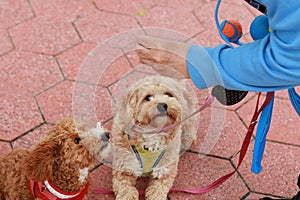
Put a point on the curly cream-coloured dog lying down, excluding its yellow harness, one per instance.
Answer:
(152, 103)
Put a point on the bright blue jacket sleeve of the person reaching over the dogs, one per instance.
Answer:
(271, 63)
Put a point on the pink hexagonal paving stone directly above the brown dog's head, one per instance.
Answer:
(78, 100)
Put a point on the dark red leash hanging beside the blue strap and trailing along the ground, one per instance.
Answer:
(221, 180)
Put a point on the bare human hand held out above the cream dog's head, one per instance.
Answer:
(161, 54)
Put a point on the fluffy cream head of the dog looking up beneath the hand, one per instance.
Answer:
(152, 104)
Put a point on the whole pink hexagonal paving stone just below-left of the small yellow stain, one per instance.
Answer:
(102, 25)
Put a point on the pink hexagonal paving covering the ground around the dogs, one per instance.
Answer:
(43, 45)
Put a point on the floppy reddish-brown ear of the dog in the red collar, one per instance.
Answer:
(39, 162)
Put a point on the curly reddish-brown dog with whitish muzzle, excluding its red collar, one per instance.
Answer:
(68, 148)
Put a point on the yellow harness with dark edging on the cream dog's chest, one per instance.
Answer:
(148, 159)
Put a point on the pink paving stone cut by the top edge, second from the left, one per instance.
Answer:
(67, 10)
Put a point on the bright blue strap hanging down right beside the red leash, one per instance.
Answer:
(261, 134)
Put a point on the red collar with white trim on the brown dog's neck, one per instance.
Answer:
(47, 191)
